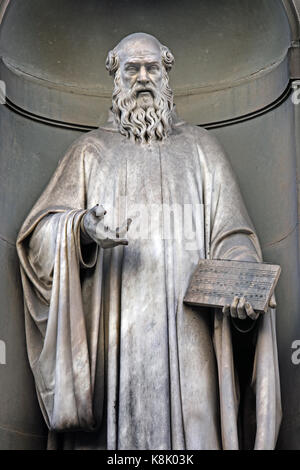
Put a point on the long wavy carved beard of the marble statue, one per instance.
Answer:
(140, 124)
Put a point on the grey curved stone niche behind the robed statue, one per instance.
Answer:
(232, 75)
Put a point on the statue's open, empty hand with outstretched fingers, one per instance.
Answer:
(94, 227)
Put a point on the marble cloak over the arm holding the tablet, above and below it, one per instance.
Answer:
(230, 235)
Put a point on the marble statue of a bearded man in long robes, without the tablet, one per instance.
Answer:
(119, 361)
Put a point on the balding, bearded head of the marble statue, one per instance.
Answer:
(142, 100)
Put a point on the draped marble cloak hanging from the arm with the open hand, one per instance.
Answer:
(58, 337)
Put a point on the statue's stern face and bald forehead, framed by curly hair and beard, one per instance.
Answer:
(141, 70)
